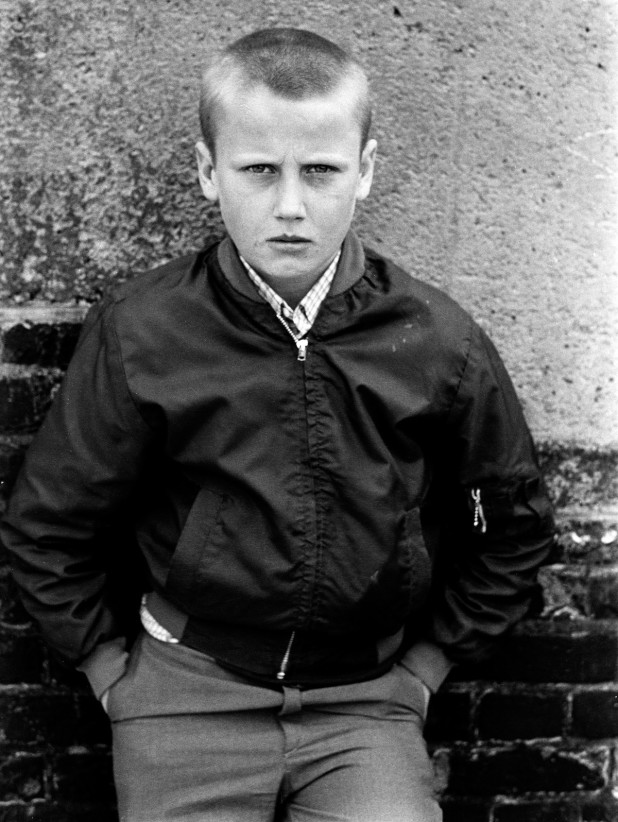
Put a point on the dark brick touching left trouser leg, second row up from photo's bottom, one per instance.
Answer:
(84, 776)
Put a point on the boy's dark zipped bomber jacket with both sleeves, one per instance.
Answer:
(313, 510)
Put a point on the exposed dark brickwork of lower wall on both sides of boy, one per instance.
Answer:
(529, 737)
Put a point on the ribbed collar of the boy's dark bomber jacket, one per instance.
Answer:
(349, 271)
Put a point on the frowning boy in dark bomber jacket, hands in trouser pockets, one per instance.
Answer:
(327, 471)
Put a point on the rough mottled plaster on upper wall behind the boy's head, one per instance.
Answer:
(497, 176)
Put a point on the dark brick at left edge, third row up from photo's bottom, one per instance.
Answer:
(38, 717)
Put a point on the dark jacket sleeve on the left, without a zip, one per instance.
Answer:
(76, 481)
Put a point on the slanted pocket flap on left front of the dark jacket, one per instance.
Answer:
(199, 543)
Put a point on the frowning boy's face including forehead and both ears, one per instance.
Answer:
(287, 176)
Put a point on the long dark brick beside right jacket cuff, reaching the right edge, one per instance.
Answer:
(575, 651)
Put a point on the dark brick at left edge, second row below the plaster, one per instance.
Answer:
(25, 396)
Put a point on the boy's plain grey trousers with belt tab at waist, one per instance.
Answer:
(192, 741)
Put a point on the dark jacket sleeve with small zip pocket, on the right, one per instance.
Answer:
(492, 510)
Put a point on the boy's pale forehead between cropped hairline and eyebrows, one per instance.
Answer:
(256, 117)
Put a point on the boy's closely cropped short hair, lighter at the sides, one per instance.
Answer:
(294, 63)
